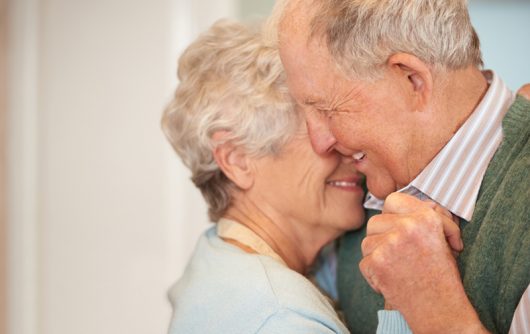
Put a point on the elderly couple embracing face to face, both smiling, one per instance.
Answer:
(282, 127)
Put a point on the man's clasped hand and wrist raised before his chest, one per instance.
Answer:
(407, 258)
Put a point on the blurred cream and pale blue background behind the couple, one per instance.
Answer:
(97, 215)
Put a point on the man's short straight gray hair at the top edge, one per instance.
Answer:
(362, 34)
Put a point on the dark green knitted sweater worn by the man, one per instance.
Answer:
(495, 263)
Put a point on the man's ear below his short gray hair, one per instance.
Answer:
(416, 74)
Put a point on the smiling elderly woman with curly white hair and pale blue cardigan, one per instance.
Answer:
(275, 203)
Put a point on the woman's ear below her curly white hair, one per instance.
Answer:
(233, 161)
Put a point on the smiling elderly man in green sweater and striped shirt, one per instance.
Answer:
(397, 87)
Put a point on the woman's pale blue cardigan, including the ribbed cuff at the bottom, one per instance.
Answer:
(225, 290)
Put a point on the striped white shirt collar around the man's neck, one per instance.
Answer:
(454, 176)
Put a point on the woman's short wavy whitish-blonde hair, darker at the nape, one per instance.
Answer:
(230, 80)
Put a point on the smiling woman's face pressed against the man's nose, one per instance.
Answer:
(303, 187)
